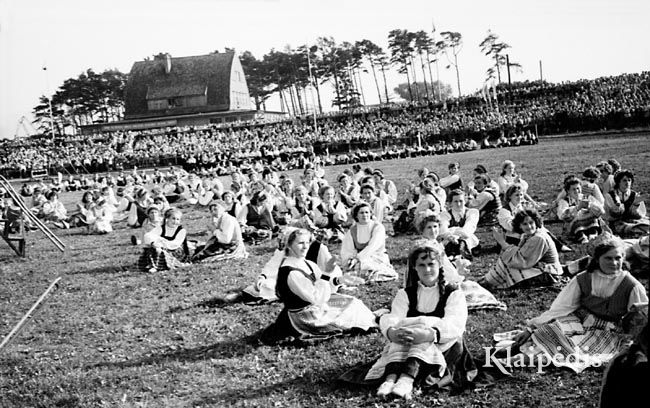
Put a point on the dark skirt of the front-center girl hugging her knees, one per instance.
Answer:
(459, 372)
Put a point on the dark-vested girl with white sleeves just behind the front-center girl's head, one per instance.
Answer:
(458, 226)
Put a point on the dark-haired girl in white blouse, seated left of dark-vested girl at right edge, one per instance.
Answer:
(581, 215)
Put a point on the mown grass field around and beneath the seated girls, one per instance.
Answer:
(112, 337)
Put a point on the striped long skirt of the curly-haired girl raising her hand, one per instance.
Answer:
(503, 277)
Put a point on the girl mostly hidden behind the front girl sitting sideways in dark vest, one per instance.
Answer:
(264, 287)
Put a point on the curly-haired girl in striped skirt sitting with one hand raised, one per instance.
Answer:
(534, 257)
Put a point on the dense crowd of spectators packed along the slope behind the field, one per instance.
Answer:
(523, 111)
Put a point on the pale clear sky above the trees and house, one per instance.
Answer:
(573, 39)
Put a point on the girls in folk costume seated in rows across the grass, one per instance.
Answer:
(334, 236)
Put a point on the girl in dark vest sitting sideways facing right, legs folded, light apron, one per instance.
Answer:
(311, 310)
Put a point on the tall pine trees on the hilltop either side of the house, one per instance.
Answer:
(291, 72)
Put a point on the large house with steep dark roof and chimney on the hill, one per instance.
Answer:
(185, 91)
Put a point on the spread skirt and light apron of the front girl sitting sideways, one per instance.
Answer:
(341, 314)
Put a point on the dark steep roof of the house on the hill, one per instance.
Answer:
(188, 76)
